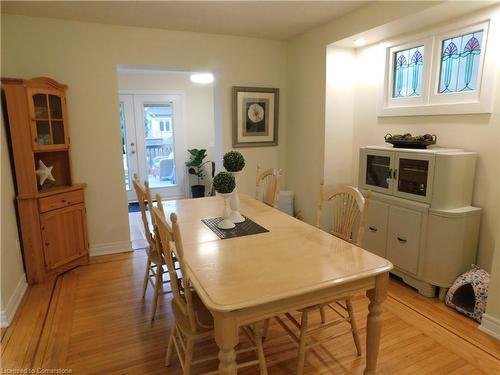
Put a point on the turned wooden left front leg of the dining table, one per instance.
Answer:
(226, 337)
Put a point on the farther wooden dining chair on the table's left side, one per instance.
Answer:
(154, 273)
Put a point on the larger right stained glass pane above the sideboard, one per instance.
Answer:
(460, 57)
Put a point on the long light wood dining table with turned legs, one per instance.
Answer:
(247, 279)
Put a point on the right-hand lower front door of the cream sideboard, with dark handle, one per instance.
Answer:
(403, 238)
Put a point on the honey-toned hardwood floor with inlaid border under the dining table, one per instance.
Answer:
(93, 321)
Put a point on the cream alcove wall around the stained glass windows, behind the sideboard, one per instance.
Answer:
(472, 132)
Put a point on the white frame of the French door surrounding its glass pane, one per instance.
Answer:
(177, 98)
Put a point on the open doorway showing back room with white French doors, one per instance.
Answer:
(163, 113)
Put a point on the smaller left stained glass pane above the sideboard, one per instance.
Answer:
(407, 75)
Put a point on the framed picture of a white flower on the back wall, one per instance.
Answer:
(255, 116)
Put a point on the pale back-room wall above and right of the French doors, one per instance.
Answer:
(199, 122)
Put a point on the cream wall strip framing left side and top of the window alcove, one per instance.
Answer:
(306, 65)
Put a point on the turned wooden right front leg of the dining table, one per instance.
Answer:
(374, 321)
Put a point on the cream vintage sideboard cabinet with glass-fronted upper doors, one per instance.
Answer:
(420, 215)
